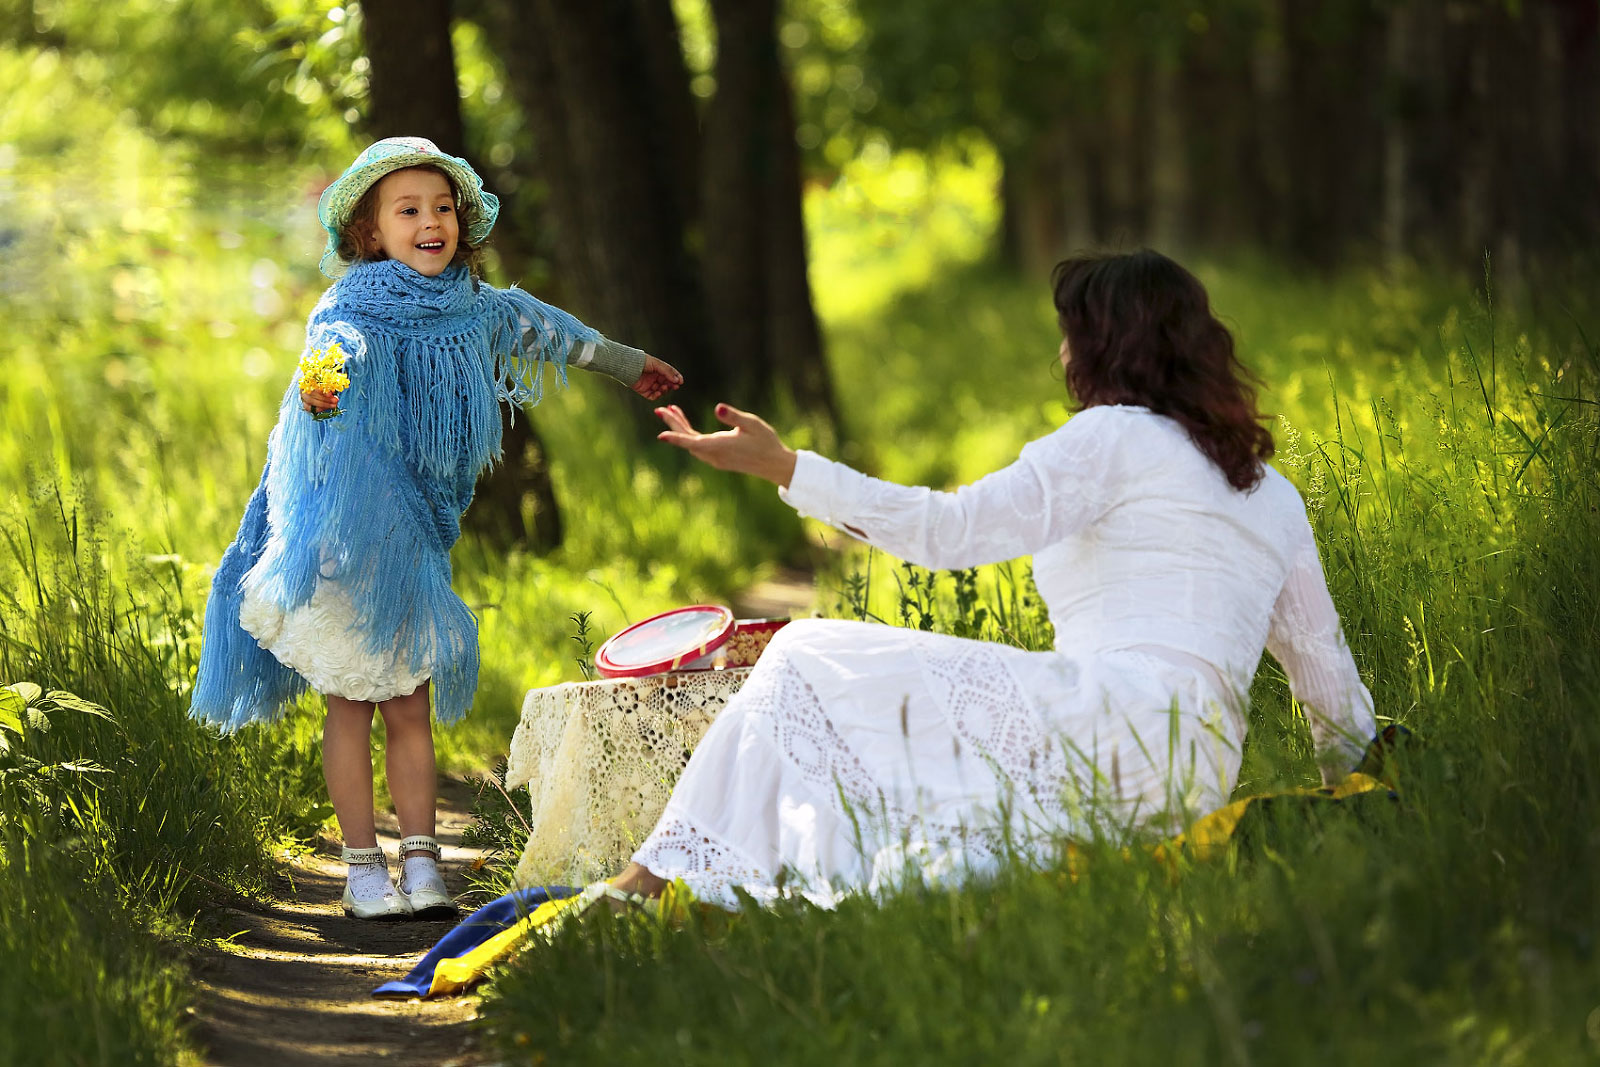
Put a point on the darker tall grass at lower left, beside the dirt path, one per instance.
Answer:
(119, 817)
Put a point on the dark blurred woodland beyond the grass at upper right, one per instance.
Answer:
(1318, 132)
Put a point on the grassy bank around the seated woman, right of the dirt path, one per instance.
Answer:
(1449, 462)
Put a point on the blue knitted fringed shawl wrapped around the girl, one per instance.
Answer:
(374, 498)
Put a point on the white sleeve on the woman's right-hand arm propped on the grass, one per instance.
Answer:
(1306, 639)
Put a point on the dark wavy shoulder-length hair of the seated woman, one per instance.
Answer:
(1140, 332)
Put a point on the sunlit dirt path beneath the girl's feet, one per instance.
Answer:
(294, 988)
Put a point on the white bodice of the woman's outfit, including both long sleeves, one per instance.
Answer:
(1138, 543)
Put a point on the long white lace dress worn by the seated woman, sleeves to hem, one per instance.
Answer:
(858, 754)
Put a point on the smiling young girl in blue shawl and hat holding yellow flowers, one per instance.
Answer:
(340, 575)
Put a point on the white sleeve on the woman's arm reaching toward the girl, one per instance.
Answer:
(1057, 487)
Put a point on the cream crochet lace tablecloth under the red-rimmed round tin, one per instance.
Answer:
(601, 761)
